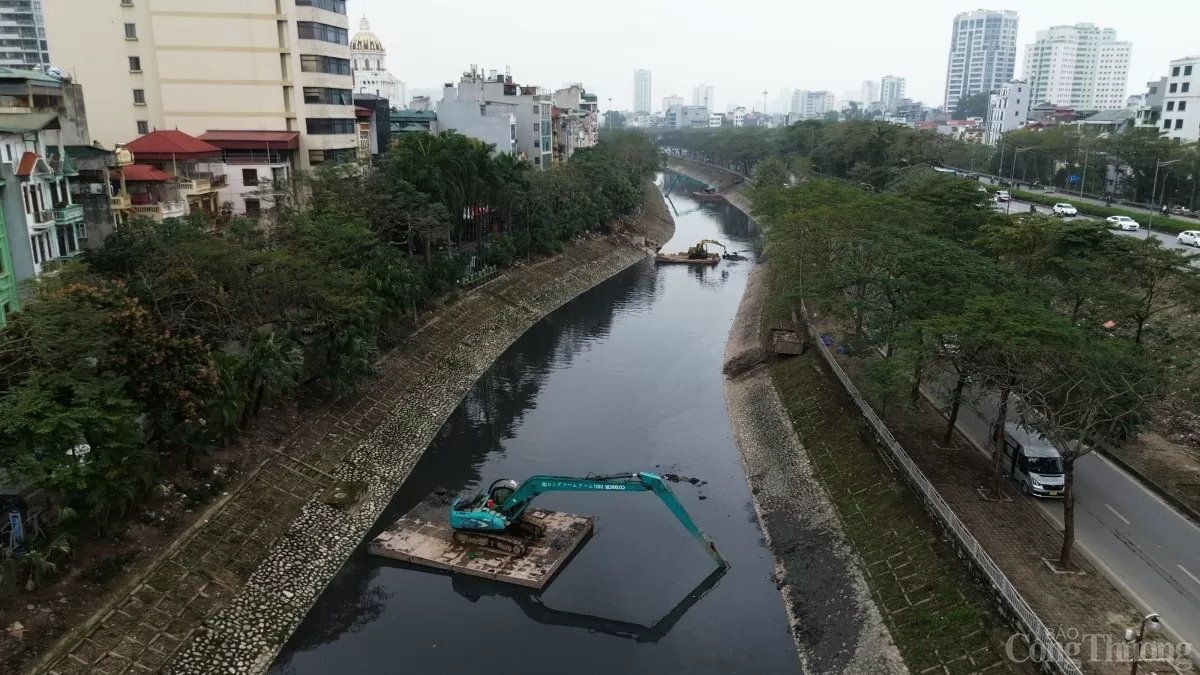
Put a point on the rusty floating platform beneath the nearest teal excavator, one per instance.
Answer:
(424, 537)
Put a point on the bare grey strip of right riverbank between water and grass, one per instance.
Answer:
(835, 622)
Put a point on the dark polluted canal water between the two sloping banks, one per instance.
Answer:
(626, 378)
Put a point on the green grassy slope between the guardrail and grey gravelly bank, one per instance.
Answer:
(932, 606)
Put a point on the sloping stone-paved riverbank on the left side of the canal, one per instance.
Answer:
(227, 595)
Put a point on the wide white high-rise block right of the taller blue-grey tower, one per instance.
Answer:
(1079, 67)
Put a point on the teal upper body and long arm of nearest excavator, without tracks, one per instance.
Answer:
(515, 504)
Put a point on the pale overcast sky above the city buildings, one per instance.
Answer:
(741, 50)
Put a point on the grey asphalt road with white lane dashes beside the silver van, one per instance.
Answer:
(1144, 546)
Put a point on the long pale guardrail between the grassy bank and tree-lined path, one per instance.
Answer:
(1039, 632)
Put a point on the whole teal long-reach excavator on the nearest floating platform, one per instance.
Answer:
(495, 519)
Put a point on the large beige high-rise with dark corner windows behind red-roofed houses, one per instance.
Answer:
(274, 65)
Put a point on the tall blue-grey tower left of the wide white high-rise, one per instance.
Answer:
(983, 55)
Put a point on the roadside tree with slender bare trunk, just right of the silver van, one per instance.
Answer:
(1093, 395)
